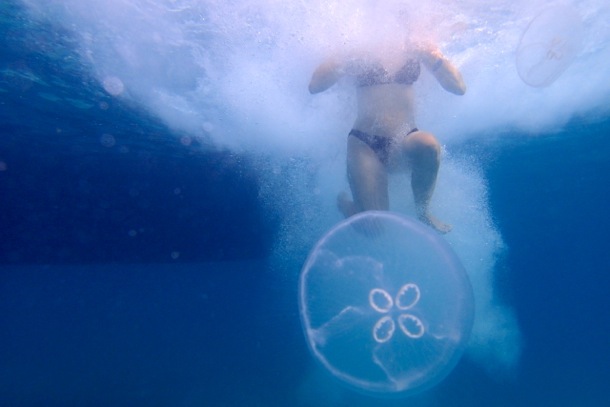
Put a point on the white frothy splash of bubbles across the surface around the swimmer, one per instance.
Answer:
(236, 72)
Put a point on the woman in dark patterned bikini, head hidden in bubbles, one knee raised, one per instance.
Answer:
(384, 137)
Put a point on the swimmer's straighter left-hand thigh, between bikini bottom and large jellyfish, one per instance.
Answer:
(367, 176)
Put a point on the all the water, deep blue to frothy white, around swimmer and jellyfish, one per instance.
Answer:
(164, 173)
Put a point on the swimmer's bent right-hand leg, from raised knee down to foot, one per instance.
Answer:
(422, 153)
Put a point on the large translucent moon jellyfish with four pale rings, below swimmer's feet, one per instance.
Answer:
(385, 304)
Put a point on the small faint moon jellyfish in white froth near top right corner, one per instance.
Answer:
(549, 45)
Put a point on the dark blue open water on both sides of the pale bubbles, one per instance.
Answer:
(134, 269)
